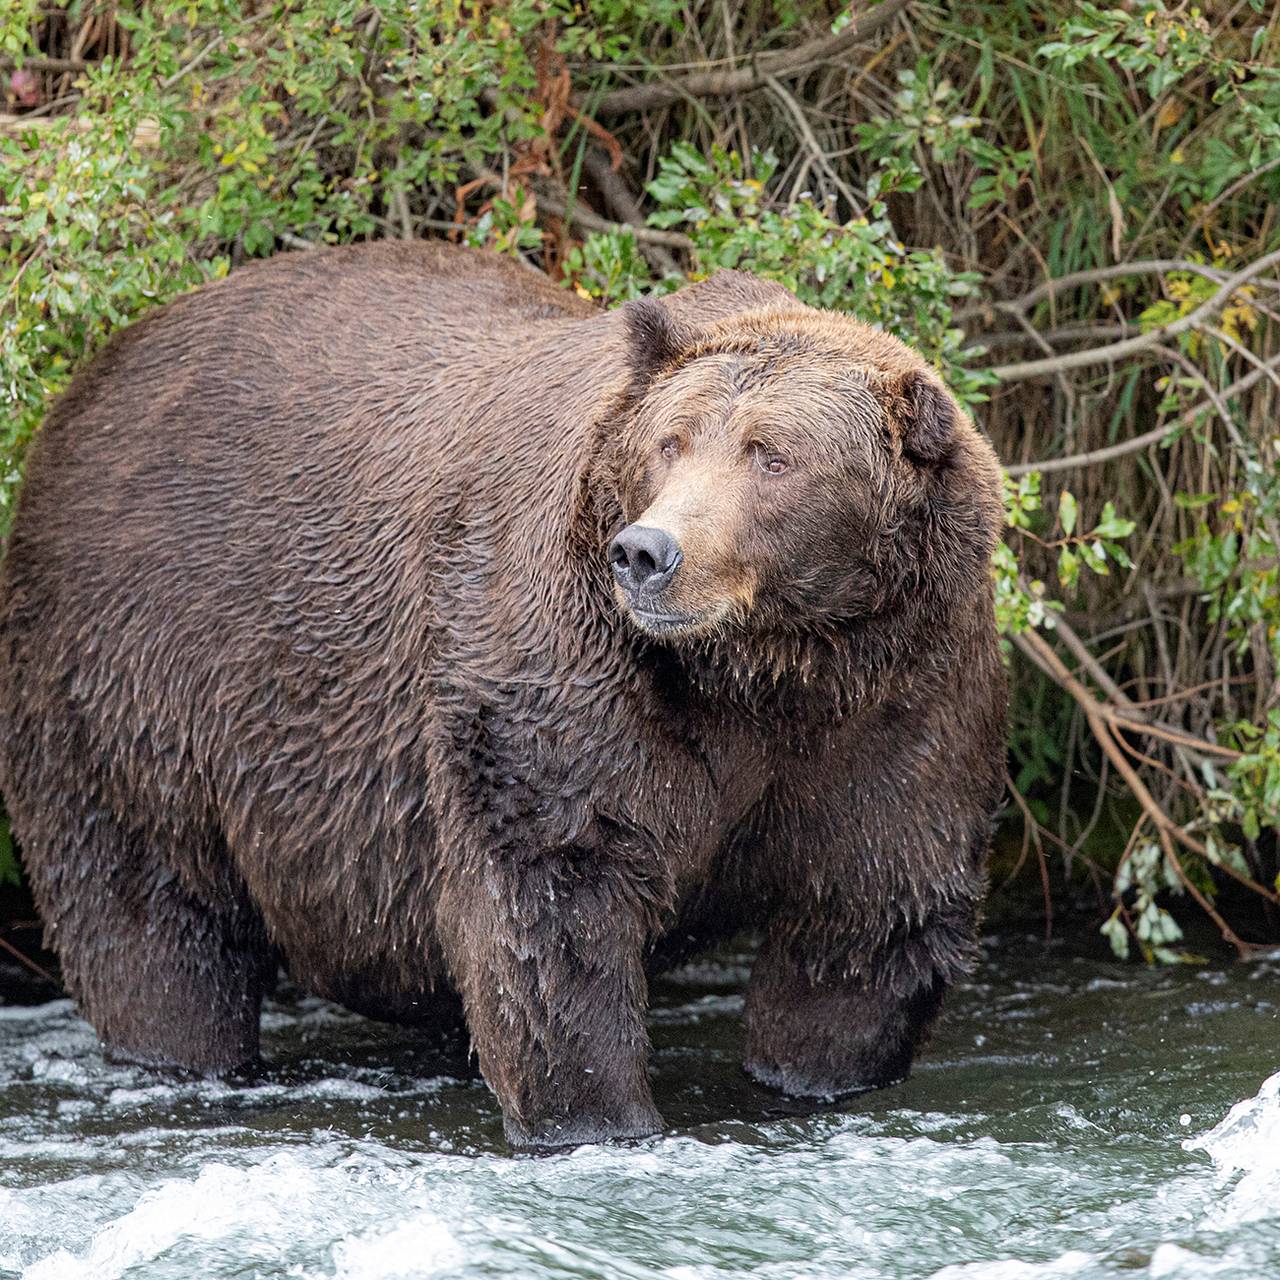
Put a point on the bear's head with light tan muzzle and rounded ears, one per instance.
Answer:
(789, 470)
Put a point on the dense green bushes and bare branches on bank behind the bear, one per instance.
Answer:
(1068, 207)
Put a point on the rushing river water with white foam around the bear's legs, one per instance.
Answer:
(1073, 1118)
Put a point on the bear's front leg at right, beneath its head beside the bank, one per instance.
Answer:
(871, 877)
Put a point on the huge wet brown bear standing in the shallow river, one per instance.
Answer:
(394, 616)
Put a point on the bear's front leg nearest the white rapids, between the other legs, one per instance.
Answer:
(547, 953)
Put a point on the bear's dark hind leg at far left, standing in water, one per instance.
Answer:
(167, 980)
